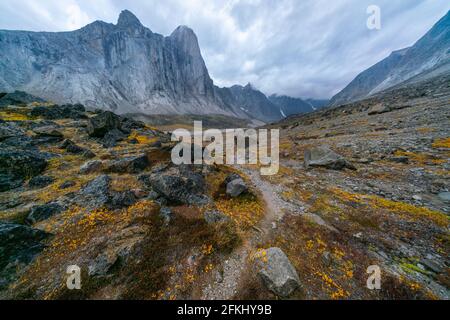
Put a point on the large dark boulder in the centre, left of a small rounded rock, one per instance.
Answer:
(180, 186)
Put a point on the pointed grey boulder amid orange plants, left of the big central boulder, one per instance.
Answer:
(95, 194)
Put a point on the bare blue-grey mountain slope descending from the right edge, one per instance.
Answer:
(428, 57)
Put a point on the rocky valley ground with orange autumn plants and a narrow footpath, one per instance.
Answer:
(360, 185)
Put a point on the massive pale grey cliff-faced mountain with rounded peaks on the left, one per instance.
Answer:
(125, 68)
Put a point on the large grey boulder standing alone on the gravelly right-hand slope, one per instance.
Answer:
(324, 157)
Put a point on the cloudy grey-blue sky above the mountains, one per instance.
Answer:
(300, 48)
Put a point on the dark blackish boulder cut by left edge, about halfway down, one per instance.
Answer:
(16, 164)
